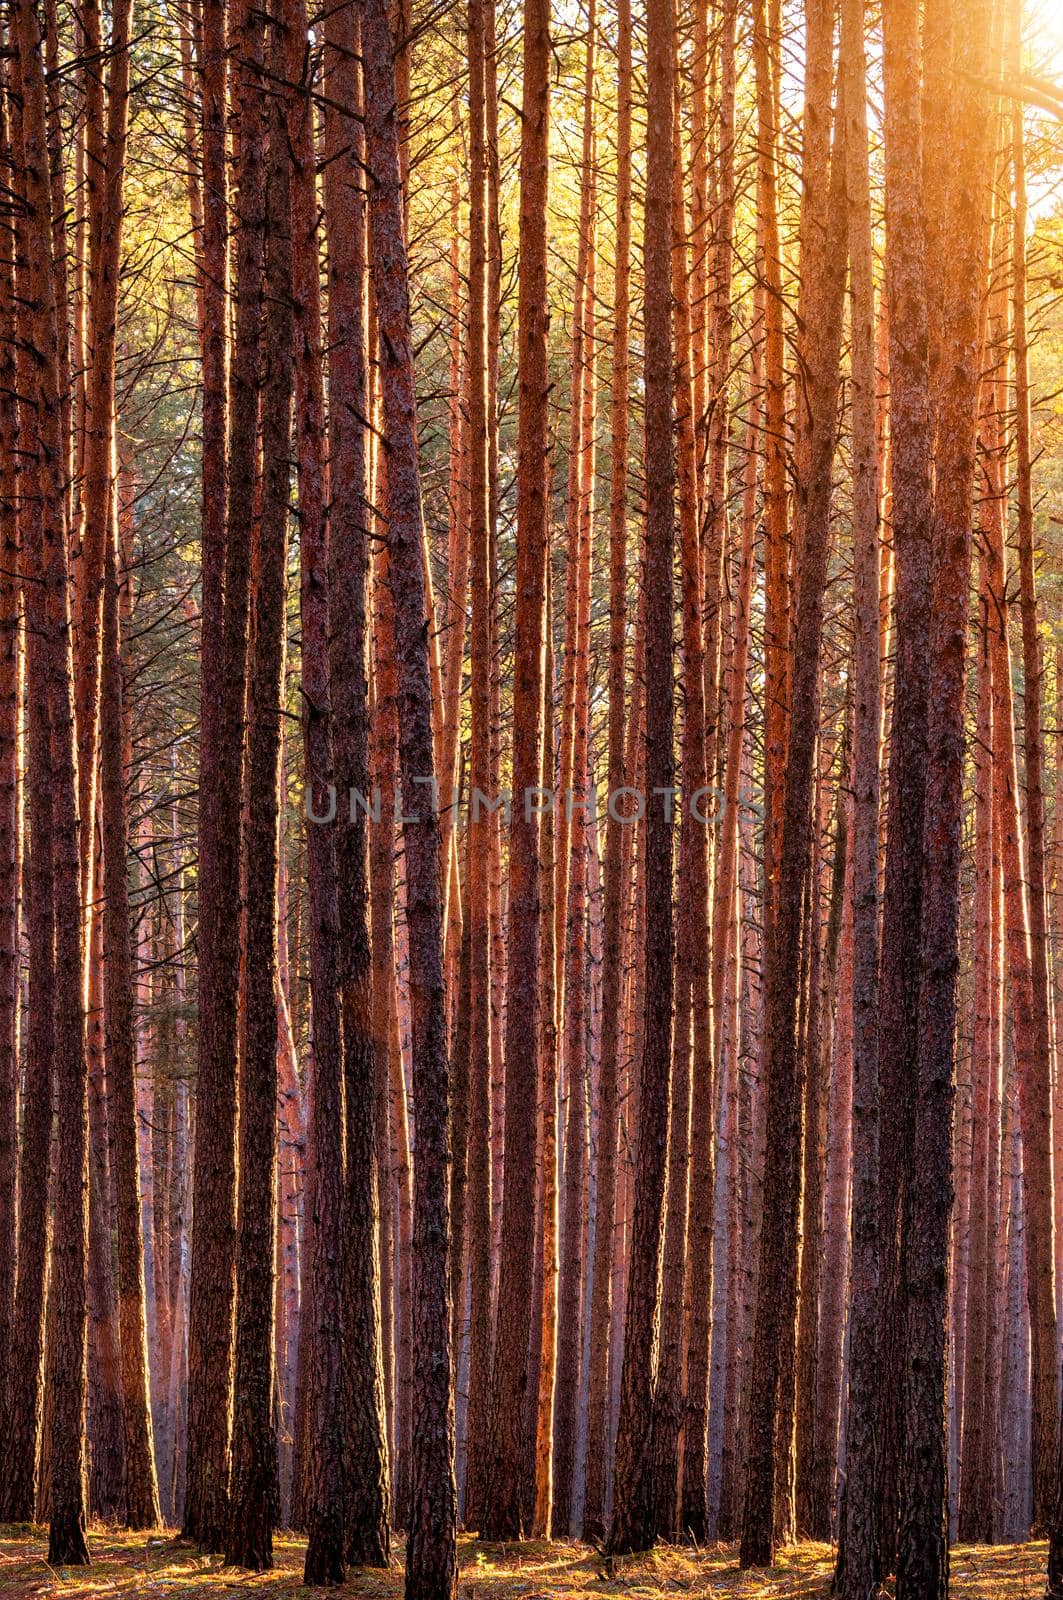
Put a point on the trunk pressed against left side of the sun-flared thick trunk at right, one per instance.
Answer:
(902, 900)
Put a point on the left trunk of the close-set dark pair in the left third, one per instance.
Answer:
(223, 698)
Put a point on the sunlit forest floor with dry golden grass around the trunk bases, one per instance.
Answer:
(162, 1569)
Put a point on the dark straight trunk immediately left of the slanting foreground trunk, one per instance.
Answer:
(369, 1537)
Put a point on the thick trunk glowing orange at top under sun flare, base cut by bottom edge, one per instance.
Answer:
(923, 1551)
